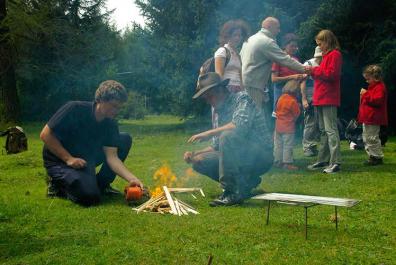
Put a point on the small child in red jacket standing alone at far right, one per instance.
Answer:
(373, 113)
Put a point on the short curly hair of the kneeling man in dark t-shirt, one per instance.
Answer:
(111, 90)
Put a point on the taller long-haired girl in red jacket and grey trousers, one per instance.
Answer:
(326, 99)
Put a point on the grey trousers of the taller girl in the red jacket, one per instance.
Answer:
(329, 150)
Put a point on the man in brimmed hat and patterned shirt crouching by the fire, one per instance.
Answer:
(243, 151)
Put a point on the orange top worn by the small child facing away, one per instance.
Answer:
(287, 112)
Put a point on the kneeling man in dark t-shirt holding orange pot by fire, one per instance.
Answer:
(82, 135)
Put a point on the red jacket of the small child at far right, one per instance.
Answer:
(373, 109)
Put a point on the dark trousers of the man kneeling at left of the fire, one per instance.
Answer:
(83, 186)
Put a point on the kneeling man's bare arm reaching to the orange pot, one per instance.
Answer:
(119, 168)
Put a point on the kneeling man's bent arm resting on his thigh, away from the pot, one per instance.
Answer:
(55, 146)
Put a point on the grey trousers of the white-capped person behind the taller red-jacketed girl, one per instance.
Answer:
(311, 135)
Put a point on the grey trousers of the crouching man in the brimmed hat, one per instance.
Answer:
(237, 165)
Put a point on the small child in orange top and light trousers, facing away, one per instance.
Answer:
(287, 112)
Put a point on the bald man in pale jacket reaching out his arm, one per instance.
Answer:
(257, 54)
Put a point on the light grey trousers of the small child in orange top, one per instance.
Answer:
(283, 147)
